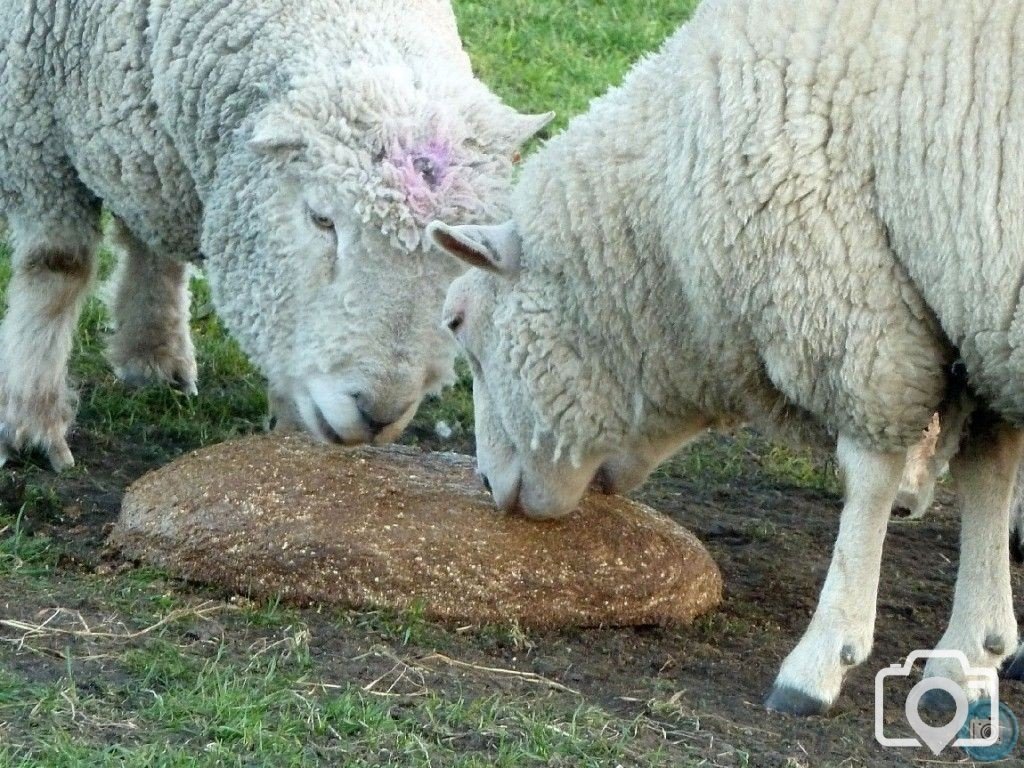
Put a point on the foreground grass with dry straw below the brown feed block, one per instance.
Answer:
(133, 681)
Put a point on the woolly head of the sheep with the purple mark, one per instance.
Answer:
(315, 243)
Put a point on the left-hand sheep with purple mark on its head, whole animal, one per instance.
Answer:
(301, 147)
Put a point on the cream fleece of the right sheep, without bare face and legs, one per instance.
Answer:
(796, 212)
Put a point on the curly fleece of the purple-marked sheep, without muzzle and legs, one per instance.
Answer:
(150, 106)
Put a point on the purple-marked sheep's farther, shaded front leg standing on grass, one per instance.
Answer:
(153, 343)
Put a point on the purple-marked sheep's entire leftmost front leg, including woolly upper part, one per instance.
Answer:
(55, 244)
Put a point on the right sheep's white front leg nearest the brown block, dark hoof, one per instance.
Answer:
(843, 627)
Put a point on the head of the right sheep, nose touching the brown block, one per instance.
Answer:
(552, 418)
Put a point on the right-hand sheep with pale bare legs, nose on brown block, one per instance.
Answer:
(797, 214)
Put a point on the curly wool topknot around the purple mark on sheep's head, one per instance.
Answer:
(400, 152)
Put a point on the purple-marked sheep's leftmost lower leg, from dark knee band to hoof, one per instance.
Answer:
(45, 300)
